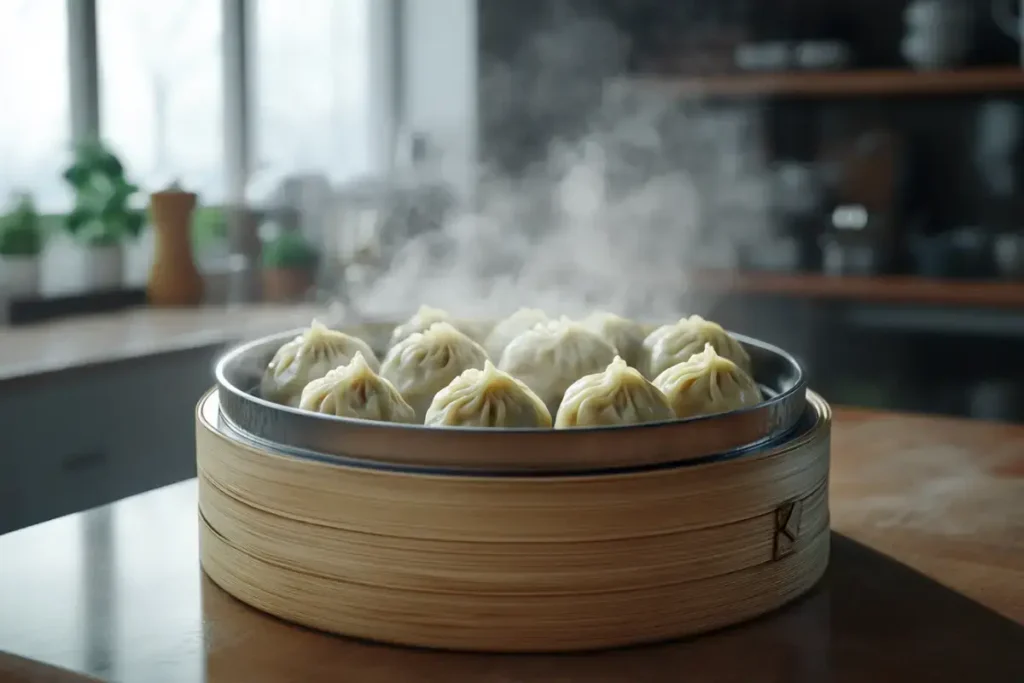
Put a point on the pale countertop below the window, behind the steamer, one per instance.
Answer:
(80, 341)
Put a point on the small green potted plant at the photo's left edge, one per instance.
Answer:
(22, 241)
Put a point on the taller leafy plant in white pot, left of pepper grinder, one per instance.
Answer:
(103, 219)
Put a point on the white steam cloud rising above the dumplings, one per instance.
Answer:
(611, 219)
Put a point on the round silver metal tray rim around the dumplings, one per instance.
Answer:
(478, 451)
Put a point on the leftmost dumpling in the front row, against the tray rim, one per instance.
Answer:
(357, 392)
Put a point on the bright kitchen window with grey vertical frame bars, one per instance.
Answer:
(215, 95)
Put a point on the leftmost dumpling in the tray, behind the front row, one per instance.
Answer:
(310, 357)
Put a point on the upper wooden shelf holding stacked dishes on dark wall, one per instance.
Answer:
(843, 84)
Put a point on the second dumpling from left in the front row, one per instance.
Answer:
(488, 398)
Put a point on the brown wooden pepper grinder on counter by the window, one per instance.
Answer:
(175, 280)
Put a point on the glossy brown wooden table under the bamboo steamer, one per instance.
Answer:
(926, 584)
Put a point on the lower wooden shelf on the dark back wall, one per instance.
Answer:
(884, 289)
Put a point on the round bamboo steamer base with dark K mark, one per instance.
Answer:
(515, 563)
